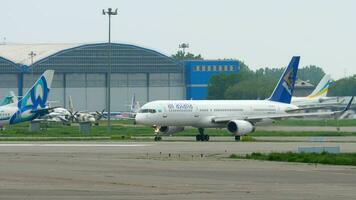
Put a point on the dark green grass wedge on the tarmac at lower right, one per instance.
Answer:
(323, 158)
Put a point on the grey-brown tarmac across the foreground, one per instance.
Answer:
(166, 170)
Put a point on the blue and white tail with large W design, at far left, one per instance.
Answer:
(35, 98)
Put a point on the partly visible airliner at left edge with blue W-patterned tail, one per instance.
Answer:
(32, 105)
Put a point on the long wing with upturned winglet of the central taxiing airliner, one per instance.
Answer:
(280, 116)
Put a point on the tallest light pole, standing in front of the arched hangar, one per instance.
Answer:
(109, 12)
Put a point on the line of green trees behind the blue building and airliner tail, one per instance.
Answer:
(259, 84)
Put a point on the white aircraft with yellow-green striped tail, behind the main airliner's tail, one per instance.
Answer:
(318, 96)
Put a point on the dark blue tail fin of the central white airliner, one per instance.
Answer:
(284, 90)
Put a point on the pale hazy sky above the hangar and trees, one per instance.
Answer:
(260, 33)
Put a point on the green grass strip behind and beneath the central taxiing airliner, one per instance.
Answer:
(127, 129)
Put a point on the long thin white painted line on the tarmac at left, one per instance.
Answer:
(73, 145)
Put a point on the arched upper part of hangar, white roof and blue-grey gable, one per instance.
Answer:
(77, 58)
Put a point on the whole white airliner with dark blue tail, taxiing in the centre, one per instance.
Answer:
(238, 116)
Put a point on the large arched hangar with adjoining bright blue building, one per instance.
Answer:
(81, 72)
